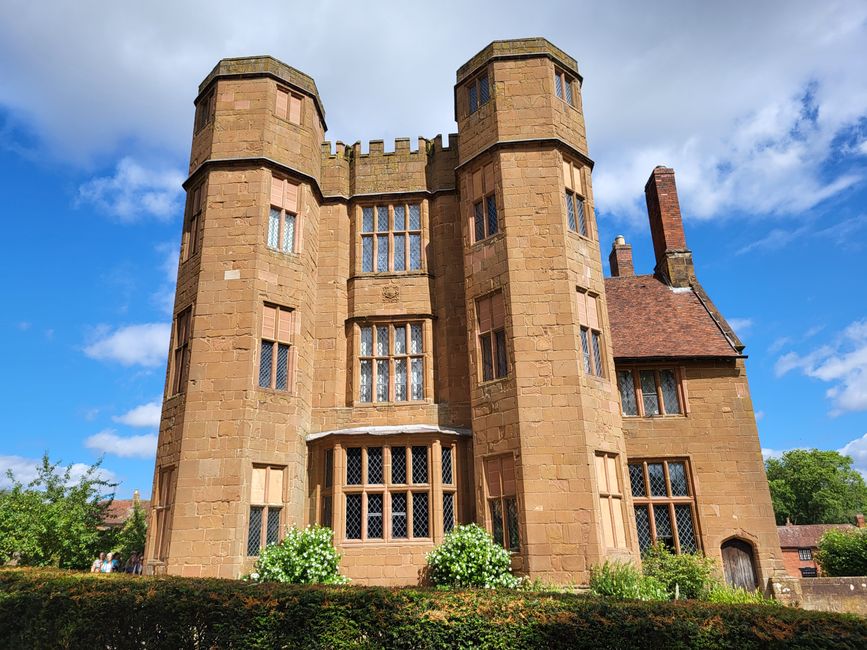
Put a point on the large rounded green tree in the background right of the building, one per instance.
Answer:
(809, 486)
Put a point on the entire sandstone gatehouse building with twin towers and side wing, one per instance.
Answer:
(395, 343)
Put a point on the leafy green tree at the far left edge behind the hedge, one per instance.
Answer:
(54, 519)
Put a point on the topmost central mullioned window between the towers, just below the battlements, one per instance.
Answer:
(391, 238)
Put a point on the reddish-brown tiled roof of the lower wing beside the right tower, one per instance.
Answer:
(650, 319)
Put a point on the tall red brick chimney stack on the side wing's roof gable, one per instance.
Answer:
(673, 258)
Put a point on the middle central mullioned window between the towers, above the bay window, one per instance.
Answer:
(391, 362)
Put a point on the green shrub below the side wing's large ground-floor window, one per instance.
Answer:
(687, 575)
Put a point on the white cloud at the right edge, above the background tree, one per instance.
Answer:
(842, 362)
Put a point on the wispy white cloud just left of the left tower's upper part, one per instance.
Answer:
(134, 192)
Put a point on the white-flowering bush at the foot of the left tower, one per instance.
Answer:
(304, 557)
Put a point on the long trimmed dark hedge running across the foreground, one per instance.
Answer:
(56, 609)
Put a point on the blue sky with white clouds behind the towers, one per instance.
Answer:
(762, 111)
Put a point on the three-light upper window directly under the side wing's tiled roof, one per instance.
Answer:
(648, 392)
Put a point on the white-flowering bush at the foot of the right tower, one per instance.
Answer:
(469, 557)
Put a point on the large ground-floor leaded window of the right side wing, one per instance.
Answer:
(664, 504)
